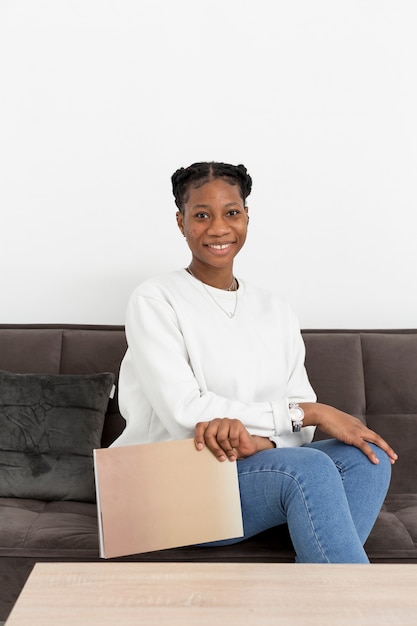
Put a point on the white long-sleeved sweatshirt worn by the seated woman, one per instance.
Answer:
(188, 361)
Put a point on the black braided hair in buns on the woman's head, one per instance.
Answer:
(198, 174)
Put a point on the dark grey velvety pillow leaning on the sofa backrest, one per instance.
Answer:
(49, 426)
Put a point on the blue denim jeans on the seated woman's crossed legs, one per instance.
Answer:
(327, 492)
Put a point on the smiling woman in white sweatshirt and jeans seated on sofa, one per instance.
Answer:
(218, 359)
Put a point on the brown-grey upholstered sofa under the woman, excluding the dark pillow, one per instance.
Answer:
(371, 374)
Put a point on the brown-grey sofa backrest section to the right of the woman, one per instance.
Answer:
(372, 375)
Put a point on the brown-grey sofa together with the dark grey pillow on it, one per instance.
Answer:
(371, 374)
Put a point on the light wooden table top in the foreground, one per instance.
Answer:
(200, 594)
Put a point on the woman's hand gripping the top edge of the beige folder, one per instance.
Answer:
(228, 439)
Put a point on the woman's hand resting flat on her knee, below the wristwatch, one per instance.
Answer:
(346, 428)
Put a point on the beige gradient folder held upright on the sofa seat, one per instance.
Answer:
(164, 495)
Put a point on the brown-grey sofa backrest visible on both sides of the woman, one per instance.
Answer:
(370, 374)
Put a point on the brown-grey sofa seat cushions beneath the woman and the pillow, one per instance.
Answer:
(68, 530)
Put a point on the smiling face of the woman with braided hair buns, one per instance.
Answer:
(214, 221)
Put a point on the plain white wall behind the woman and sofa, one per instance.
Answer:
(101, 100)
